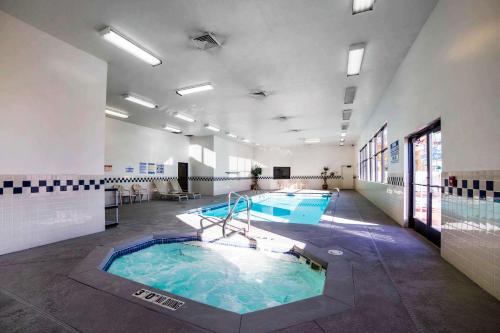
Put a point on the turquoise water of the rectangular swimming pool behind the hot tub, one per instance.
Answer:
(278, 207)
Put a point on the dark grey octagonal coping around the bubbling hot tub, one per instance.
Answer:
(338, 292)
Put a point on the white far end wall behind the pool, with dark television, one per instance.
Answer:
(304, 161)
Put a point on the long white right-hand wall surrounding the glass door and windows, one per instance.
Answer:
(451, 72)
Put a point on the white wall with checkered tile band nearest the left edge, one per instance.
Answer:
(51, 129)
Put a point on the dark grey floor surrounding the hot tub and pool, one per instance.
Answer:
(401, 282)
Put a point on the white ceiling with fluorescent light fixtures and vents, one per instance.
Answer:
(297, 49)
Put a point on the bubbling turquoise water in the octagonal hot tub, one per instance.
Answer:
(236, 279)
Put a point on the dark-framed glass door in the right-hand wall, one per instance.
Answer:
(426, 164)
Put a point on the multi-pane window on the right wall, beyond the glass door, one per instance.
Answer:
(374, 159)
